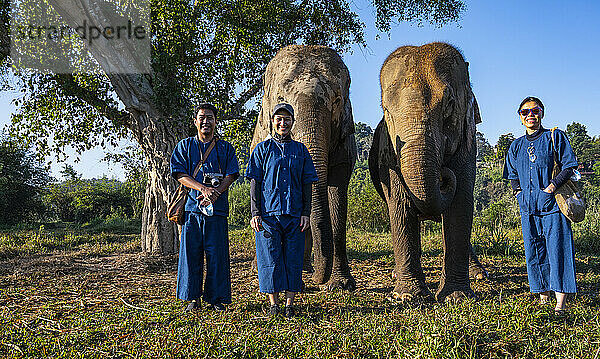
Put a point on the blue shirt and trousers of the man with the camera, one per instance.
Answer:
(204, 235)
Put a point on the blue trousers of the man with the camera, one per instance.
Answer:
(203, 235)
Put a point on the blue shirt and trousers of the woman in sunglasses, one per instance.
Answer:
(547, 234)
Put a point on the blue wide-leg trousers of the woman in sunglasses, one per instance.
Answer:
(549, 253)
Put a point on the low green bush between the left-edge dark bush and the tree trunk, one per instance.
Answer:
(82, 200)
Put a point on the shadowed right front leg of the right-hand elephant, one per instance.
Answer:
(457, 222)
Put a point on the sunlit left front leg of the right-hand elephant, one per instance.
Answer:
(406, 240)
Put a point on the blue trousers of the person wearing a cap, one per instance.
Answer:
(279, 254)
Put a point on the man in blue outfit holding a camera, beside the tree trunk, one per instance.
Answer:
(205, 229)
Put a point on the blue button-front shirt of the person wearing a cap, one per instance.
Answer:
(281, 168)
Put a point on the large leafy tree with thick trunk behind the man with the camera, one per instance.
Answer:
(205, 50)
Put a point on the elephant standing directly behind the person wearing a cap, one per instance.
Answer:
(316, 82)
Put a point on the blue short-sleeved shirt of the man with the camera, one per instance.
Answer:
(222, 159)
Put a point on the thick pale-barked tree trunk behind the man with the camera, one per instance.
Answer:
(156, 133)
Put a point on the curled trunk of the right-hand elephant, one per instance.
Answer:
(431, 185)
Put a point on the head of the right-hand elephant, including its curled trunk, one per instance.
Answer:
(430, 113)
